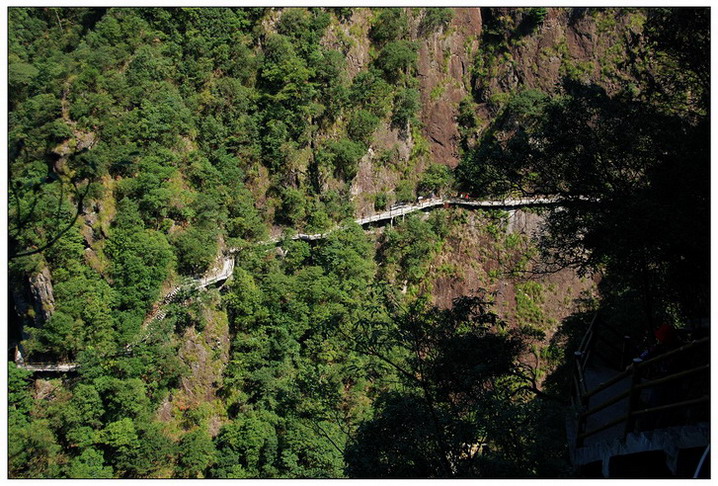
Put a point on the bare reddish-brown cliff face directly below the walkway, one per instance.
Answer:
(499, 255)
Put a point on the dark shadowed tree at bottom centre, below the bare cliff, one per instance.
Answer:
(467, 370)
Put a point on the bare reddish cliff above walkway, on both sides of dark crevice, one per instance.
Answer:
(461, 62)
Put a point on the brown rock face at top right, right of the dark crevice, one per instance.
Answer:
(579, 43)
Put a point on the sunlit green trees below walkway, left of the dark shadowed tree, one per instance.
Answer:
(280, 422)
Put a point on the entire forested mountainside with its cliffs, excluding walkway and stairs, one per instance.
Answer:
(145, 144)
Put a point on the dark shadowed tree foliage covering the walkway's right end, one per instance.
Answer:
(618, 150)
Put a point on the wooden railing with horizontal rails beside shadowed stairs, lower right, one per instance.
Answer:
(637, 372)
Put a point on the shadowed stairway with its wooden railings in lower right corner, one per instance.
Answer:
(620, 429)
